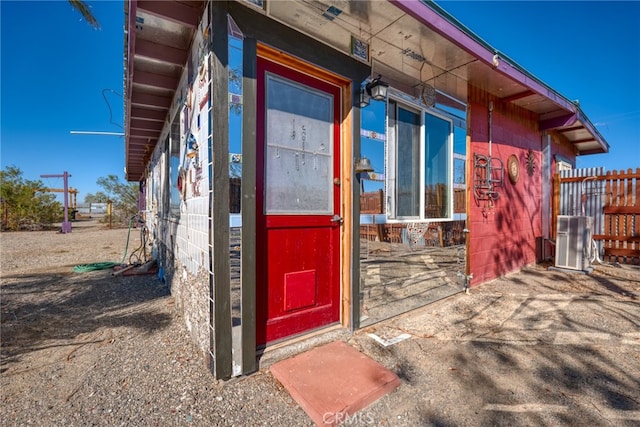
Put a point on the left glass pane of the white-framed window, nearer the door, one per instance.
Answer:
(408, 167)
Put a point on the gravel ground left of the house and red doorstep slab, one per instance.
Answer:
(94, 349)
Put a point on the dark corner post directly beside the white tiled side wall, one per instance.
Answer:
(220, 303)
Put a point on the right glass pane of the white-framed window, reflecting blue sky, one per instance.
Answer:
(437, 165)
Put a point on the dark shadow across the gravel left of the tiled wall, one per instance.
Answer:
(41, 311)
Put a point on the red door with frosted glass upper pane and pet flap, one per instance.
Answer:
(298, 203)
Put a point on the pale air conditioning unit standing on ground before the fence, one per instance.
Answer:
(572, 240)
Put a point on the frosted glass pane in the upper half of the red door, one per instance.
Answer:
(299, 149)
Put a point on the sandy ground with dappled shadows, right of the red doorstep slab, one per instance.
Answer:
(537, 348)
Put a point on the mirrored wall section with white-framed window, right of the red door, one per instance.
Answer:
(412, 212)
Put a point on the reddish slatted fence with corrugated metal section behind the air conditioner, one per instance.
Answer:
(612, 199)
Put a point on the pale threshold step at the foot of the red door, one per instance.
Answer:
(281, 350)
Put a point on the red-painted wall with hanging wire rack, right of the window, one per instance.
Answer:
(503, 237)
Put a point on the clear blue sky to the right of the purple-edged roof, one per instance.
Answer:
(586, 50)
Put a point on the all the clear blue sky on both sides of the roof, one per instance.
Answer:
(55, 67)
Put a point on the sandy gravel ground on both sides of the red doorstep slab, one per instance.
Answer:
(538, 347)
